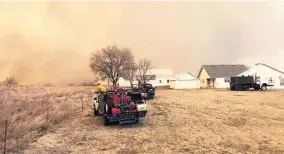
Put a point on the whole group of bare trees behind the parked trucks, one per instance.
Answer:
(113, 62)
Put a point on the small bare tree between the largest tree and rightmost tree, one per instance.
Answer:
(129, 73)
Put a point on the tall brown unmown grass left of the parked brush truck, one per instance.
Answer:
(31, 110)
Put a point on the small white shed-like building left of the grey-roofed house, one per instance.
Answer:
(185, 81)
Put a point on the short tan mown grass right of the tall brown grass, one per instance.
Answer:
(193, 121)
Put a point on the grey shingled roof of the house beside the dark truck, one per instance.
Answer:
(220, 71)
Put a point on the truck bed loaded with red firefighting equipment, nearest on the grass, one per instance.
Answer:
(120, 106)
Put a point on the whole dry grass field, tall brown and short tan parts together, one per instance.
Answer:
(179, 121)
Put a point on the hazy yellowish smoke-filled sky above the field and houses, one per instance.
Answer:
(52, 41)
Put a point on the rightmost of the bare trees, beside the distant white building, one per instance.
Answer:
(144, 70)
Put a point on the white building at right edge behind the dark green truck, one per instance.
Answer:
(267, 73)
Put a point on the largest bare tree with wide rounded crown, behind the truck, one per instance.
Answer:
(110, 62)
